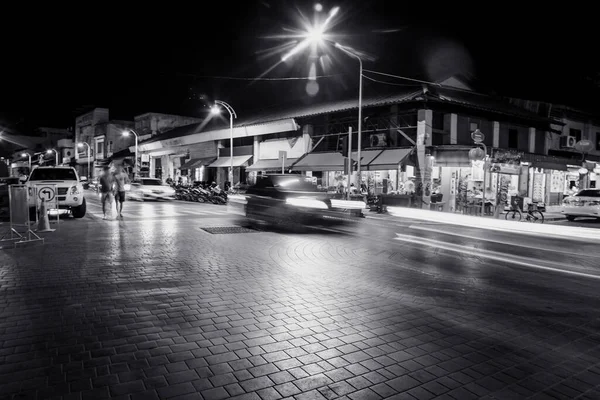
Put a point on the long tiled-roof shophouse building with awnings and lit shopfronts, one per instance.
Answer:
(415, 140)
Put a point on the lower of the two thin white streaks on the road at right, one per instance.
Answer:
(491, 255)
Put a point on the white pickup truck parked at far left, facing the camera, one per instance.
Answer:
(57, 184)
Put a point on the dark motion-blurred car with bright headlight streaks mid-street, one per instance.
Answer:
(294, 199)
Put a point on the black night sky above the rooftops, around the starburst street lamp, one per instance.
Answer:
(59, 62)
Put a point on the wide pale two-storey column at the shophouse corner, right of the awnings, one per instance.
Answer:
(423, 168)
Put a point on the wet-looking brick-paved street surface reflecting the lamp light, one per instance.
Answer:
(154, 306)
